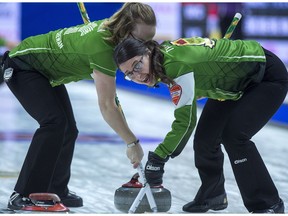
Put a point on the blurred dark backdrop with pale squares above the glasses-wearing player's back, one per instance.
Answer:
(265, 22)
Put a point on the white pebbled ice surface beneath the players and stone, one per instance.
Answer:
(100, 165)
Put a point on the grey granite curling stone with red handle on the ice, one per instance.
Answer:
(125, 196)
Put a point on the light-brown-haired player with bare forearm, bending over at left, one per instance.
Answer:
(36, 71)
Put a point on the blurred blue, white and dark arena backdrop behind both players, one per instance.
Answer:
(266, 22)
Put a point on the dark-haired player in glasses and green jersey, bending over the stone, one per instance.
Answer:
(246, 83)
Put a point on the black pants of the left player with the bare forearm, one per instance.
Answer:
(47, 164)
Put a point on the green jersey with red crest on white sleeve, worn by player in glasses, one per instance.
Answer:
(219, 69)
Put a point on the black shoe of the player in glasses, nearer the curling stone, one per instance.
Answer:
(217, 203)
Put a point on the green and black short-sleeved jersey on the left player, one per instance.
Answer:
(68, 54)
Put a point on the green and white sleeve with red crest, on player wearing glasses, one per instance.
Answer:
(182, 94)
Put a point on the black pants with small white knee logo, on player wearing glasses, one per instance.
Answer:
(234, 123)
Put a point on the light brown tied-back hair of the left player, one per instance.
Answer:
(124, 21)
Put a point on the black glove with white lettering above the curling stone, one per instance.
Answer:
(154, 169)
